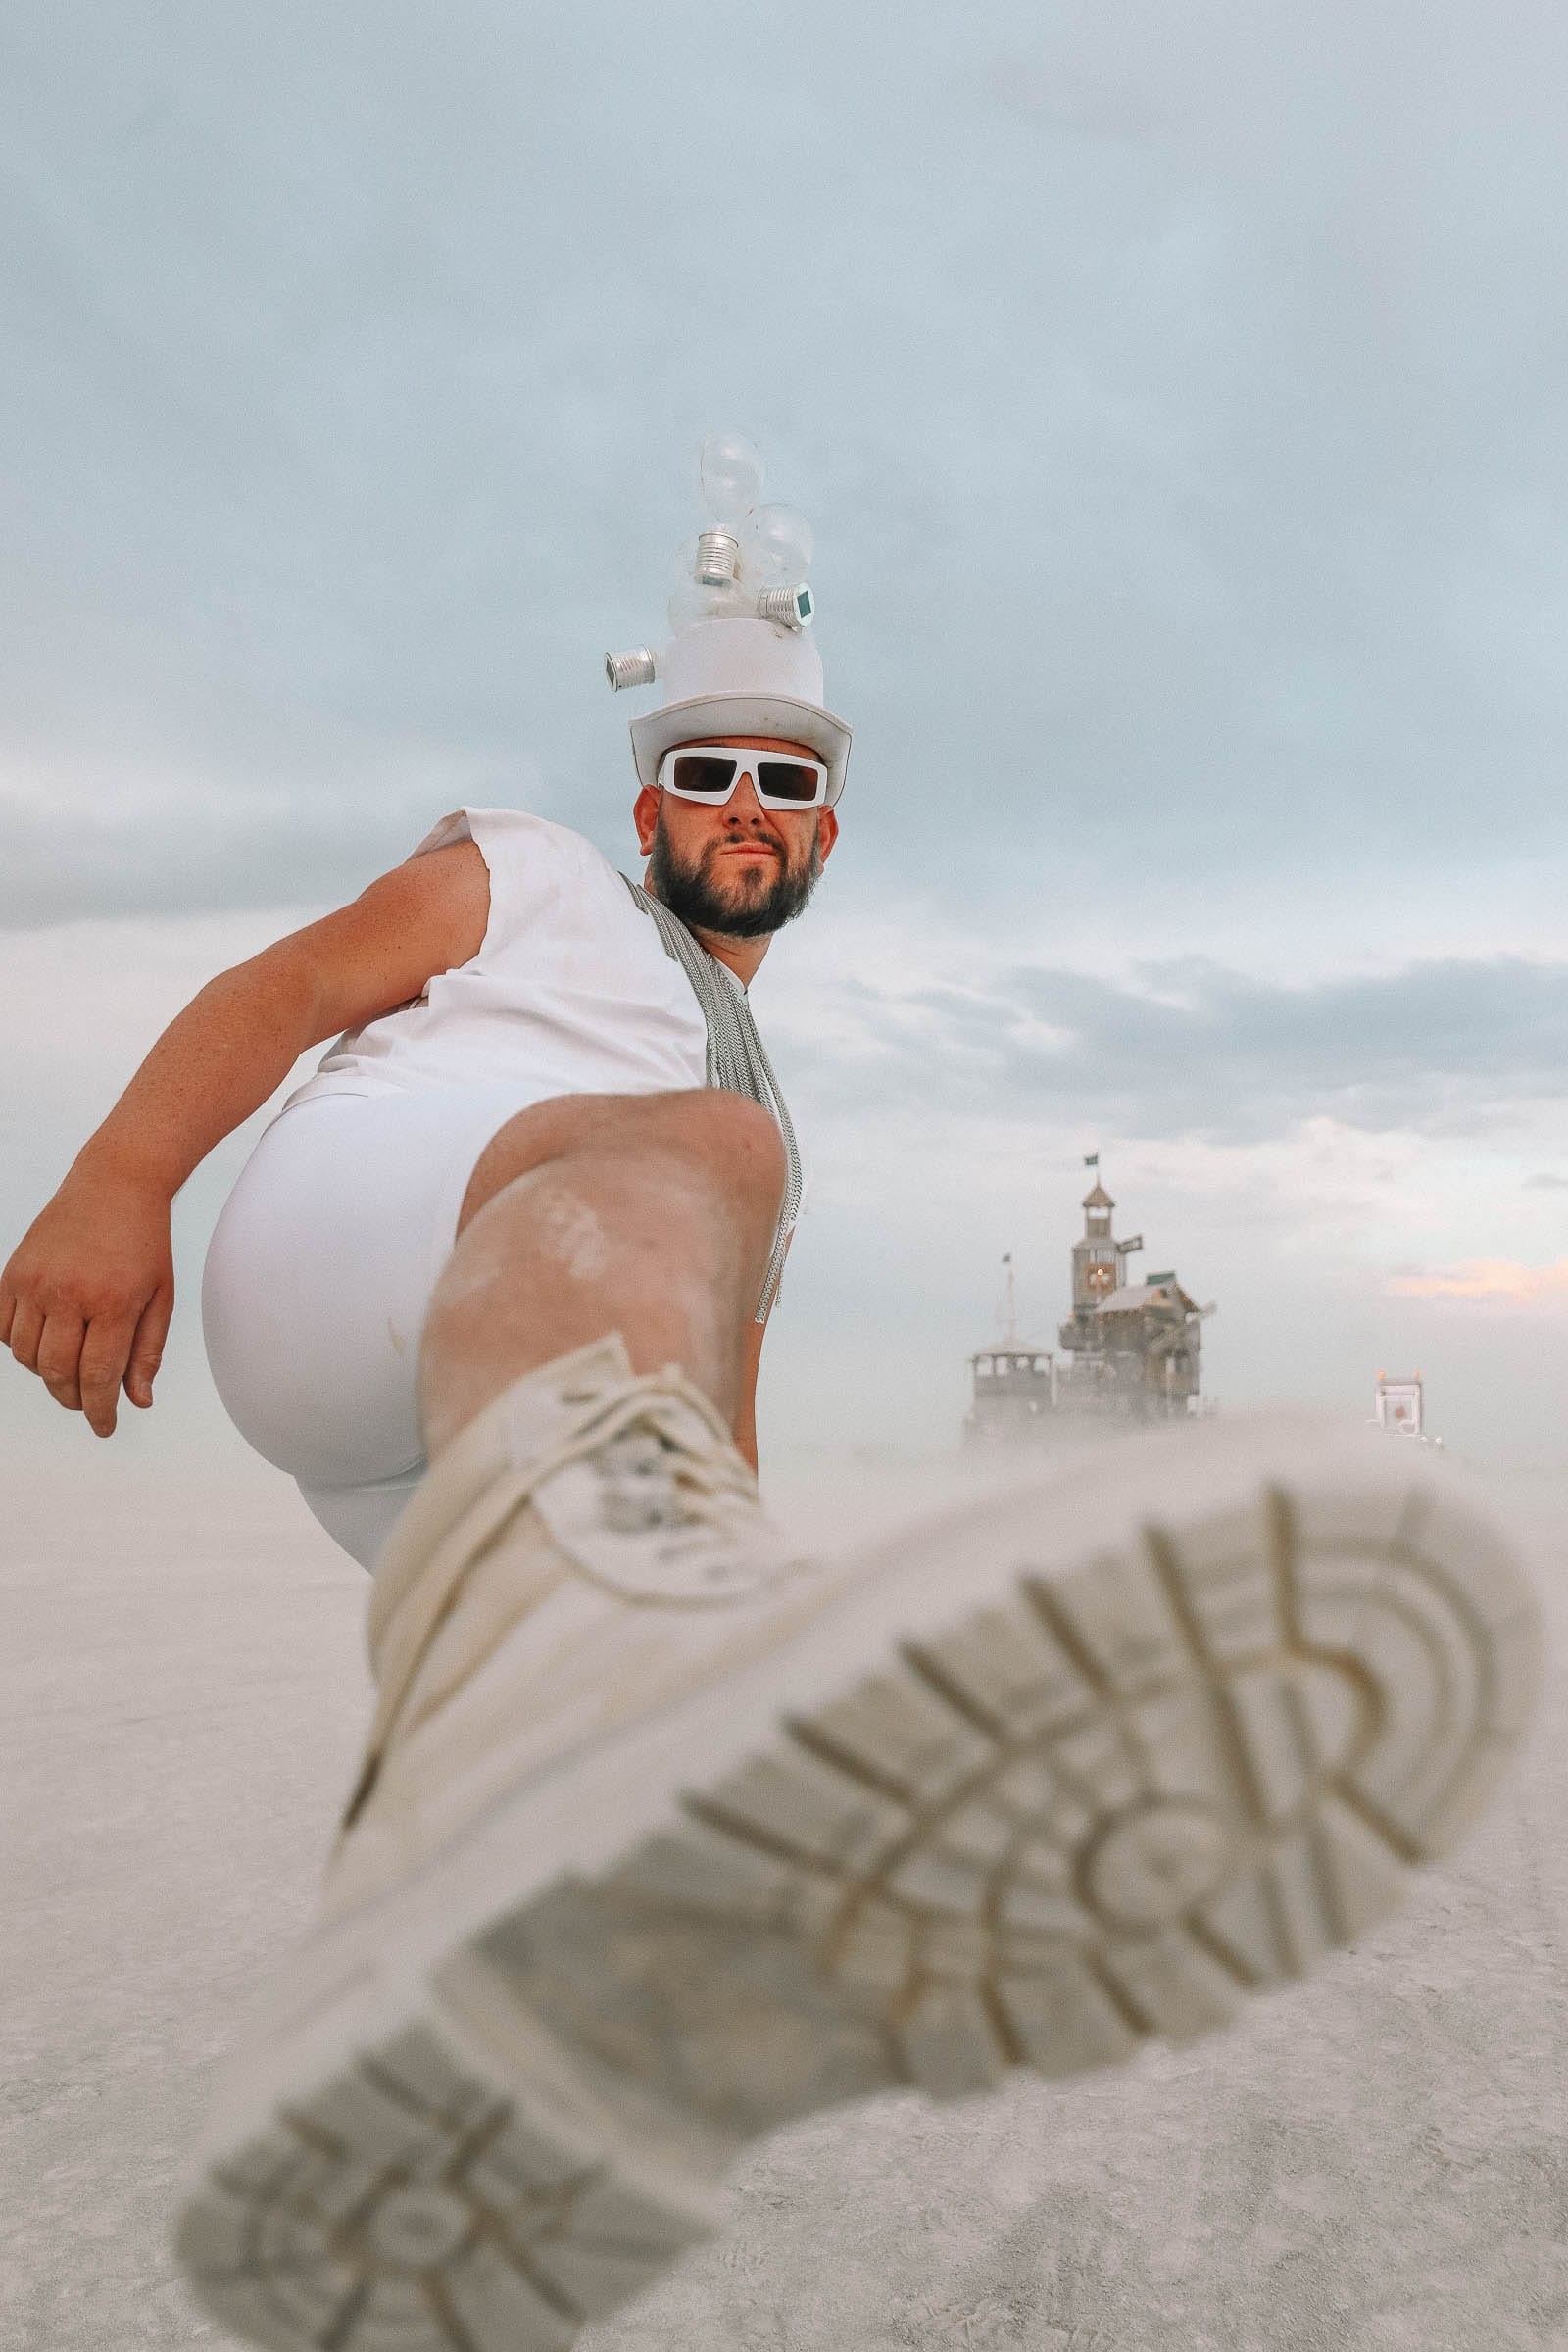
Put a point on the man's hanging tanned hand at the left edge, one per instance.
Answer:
(88, 1297)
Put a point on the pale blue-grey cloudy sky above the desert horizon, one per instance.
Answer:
(1179, 399)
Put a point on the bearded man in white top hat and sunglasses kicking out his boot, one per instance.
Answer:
(666, 1833)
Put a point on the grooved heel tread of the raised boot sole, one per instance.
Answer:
(410, 2207)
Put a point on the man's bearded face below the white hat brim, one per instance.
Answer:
(739, 869)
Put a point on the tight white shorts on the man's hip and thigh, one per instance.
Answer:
(319, 1278)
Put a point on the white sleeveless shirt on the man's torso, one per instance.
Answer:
(572, 989)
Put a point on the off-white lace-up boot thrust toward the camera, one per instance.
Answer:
(666, 1838)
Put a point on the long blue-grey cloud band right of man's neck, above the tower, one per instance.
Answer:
(1200, 1050)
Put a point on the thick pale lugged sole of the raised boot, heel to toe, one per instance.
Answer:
(1101, 1808)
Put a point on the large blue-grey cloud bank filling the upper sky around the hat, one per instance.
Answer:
(1186, 481)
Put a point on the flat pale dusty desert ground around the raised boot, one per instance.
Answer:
(1372, 2163)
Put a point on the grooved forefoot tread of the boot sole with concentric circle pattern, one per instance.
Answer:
(1118, 1803)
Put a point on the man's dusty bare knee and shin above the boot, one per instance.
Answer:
(638, 1215)
